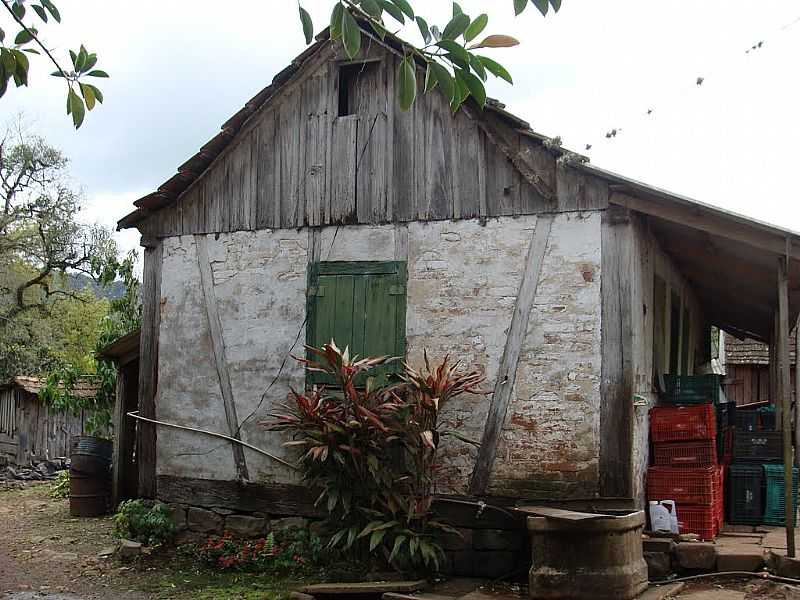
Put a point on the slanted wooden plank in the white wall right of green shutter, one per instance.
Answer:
(506, 374)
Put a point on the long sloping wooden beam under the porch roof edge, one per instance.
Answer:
(699, 217)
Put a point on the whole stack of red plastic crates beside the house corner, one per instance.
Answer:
(685, 466)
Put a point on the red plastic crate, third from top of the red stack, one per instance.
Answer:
(699, 486)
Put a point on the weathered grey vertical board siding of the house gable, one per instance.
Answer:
(297, 162)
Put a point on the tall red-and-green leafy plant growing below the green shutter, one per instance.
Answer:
(371, 450)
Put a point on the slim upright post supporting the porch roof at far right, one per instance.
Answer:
(784, 387)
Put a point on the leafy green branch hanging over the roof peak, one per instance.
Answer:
(447, 52)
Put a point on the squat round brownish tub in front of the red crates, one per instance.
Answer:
(587, 559)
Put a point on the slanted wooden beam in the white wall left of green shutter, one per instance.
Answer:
(218, 347)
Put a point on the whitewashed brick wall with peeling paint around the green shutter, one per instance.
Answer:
(463, 278)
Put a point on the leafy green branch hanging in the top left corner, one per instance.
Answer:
(14, 63)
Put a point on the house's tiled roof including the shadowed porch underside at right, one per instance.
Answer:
(705, 242)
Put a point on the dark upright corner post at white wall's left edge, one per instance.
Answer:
(148, 371)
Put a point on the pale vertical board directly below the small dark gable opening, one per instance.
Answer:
(344, 148)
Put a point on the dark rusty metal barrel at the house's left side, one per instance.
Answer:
(89, 476)
